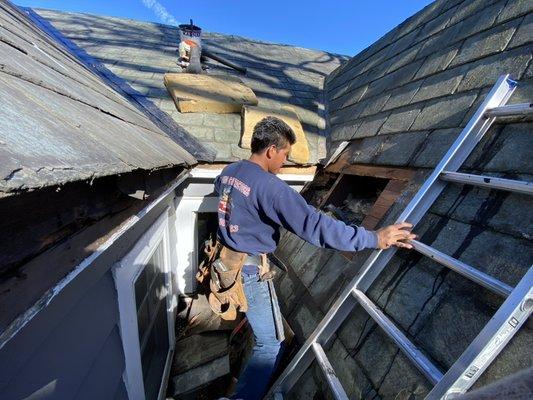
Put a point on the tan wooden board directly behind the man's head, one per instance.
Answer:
(252, 115)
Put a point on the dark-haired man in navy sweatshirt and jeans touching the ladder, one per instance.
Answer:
(254, 204)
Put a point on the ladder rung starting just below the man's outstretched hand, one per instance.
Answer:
(464, 269)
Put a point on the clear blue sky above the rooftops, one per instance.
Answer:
(338, 26)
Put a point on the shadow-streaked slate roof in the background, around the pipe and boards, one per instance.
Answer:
(141, 53)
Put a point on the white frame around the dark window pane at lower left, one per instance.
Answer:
(125, 273)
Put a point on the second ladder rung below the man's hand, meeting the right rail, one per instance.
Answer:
(411, 351)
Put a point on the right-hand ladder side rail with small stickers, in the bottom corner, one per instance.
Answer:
(500, 329)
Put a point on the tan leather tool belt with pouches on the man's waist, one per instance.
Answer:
(220, 273)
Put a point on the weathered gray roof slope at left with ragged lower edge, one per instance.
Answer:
(60, 123)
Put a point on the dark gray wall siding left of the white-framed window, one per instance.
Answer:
(72, 350)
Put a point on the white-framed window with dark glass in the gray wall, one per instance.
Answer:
(143, 284)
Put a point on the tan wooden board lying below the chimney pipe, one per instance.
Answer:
(208, 93)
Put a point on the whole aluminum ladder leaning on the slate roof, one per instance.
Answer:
(513, 312)
